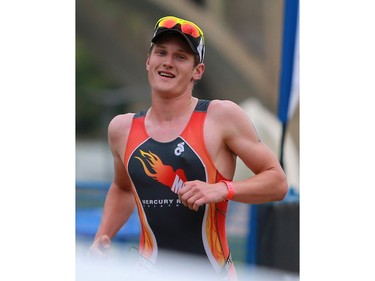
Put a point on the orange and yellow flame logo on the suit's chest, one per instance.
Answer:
(160, 172)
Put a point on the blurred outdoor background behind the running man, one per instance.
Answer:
(244, 40)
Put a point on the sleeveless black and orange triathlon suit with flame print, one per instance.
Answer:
(157, 171)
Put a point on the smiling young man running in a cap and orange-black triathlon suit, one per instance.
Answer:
(175, 162)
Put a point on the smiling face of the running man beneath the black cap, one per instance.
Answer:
(170, 66)
